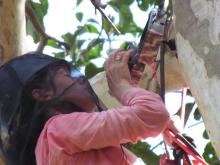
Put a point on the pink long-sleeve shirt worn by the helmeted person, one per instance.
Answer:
(94, 138)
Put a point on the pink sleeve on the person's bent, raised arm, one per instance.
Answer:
(142, 115)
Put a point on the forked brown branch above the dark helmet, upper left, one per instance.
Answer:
(36, 24)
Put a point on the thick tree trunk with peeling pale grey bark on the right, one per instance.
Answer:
(197, 26)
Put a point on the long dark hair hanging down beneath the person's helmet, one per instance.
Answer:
(32, 117)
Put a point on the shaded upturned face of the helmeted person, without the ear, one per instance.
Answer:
(74, 90)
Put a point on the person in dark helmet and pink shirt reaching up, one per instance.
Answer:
(50, 115)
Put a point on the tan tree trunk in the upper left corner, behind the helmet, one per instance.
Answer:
(12, 29)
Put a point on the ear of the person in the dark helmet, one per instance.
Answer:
(41, 94)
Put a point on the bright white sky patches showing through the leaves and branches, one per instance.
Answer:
(61, 19)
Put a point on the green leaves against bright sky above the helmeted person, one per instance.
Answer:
(87, 41)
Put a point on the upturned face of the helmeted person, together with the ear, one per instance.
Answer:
(71, 89)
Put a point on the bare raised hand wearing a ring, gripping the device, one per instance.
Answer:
(117, 72)
